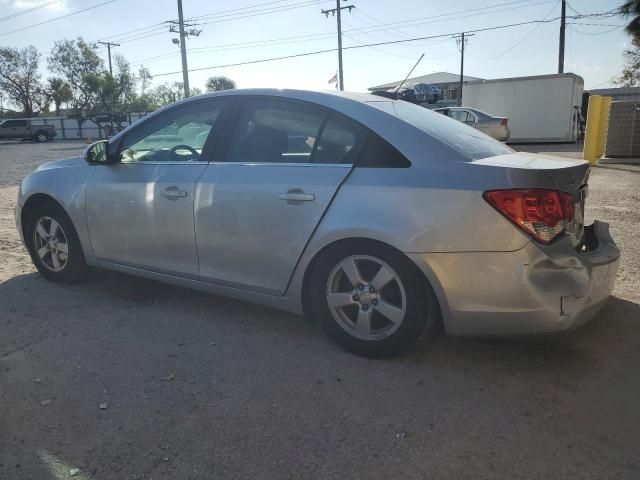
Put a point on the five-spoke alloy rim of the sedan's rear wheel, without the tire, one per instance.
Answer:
(366, 297)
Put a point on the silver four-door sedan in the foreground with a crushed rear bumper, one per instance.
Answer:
(379, 218)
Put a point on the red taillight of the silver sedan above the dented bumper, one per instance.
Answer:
(544, 214)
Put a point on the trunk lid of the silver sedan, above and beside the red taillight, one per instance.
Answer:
(568, 174)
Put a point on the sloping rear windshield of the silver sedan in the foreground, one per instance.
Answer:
(466, 140)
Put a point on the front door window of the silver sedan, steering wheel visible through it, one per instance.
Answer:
(176, 135)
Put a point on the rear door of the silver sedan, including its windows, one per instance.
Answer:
(255, 211)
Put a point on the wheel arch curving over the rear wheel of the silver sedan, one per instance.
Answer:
(429, 281)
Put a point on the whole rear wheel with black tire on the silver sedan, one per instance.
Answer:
(370, 299)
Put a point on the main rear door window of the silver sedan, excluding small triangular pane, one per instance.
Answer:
(275, 131)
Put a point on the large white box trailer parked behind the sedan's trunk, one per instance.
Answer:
(540, 108)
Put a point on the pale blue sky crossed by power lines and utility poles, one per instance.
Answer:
(593, 51)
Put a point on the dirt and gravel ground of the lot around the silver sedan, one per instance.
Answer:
(202, 387)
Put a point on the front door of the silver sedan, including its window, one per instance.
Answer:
(140, 210)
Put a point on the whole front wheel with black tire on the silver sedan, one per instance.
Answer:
(54, 245)
